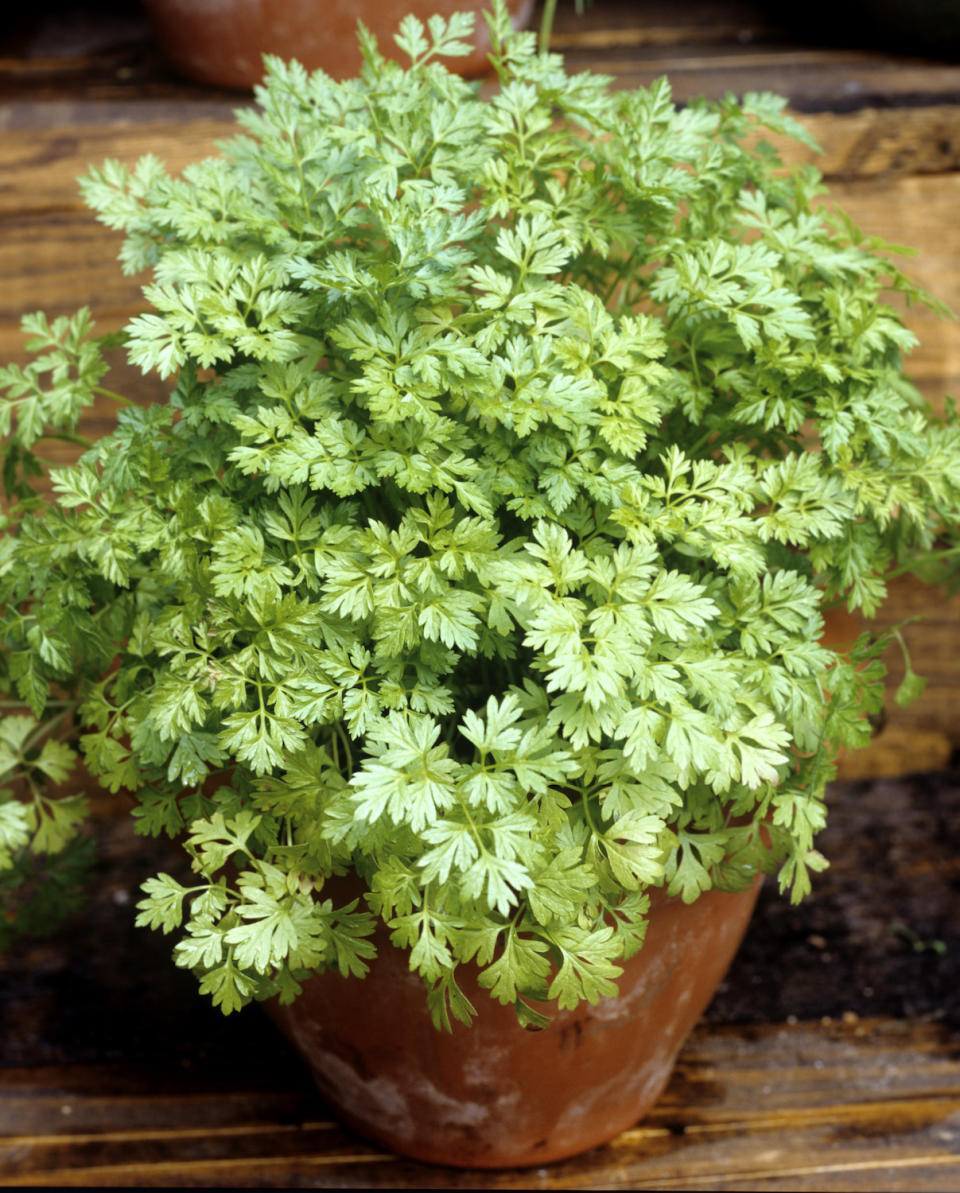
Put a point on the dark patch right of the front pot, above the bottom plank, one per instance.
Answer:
(881, 935)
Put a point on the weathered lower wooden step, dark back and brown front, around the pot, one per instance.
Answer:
(829, 1060)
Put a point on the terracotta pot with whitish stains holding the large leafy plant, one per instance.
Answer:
(493, 1095)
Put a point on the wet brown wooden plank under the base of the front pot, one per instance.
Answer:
(776, 1108)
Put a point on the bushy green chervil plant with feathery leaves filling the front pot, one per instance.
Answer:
(513, 453)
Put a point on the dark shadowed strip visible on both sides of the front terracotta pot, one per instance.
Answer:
(881, 936)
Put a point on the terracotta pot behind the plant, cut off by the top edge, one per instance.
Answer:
(222, 41)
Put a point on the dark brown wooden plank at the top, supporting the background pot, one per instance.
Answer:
(708, 50)
